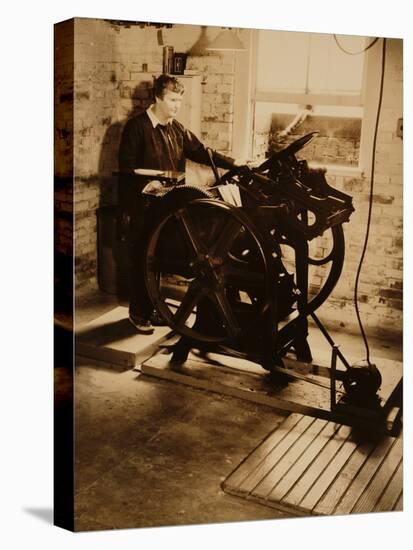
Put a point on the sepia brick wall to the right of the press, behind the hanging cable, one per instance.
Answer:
(381, 281)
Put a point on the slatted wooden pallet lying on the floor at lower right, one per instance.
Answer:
(310, 466)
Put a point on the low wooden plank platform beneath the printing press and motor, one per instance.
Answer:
(246, 380)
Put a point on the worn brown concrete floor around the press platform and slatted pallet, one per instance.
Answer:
(153, 453)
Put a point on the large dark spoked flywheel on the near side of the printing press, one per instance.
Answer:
(207, 268)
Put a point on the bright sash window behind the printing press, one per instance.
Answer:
(304, 82)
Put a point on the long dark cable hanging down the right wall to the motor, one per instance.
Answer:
(373, 161)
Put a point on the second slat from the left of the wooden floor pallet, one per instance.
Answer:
(275, 455)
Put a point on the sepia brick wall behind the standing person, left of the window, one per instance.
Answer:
(109, 87)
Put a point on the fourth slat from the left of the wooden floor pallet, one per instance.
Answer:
(301, 465)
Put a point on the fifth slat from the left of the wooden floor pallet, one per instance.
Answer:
(329, 450)
